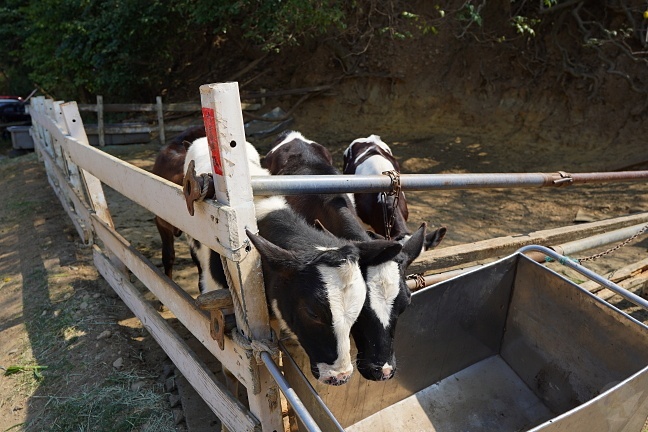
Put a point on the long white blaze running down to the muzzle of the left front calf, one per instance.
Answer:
(346, 304)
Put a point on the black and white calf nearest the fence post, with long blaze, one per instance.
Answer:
(313, 280)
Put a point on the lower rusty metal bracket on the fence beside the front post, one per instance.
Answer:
(220, 306)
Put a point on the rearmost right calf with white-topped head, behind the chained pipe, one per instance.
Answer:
(371, 156)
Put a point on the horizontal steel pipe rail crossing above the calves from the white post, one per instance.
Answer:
(301, 184)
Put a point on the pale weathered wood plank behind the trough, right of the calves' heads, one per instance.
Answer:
(460, 254)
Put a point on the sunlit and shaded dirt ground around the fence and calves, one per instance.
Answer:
(57, 311)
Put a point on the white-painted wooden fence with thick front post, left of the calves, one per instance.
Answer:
(76, 172)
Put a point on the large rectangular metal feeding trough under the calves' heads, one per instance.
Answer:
(512, 346)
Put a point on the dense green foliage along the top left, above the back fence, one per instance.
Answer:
(128, 48)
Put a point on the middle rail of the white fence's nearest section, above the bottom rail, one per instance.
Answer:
(177, 300)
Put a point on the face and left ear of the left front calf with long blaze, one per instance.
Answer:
(317, 297)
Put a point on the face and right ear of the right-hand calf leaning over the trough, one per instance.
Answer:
(387, 298)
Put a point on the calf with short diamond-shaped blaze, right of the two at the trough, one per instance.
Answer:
(387, 292)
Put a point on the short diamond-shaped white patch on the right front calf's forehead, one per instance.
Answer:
(383, 284)
